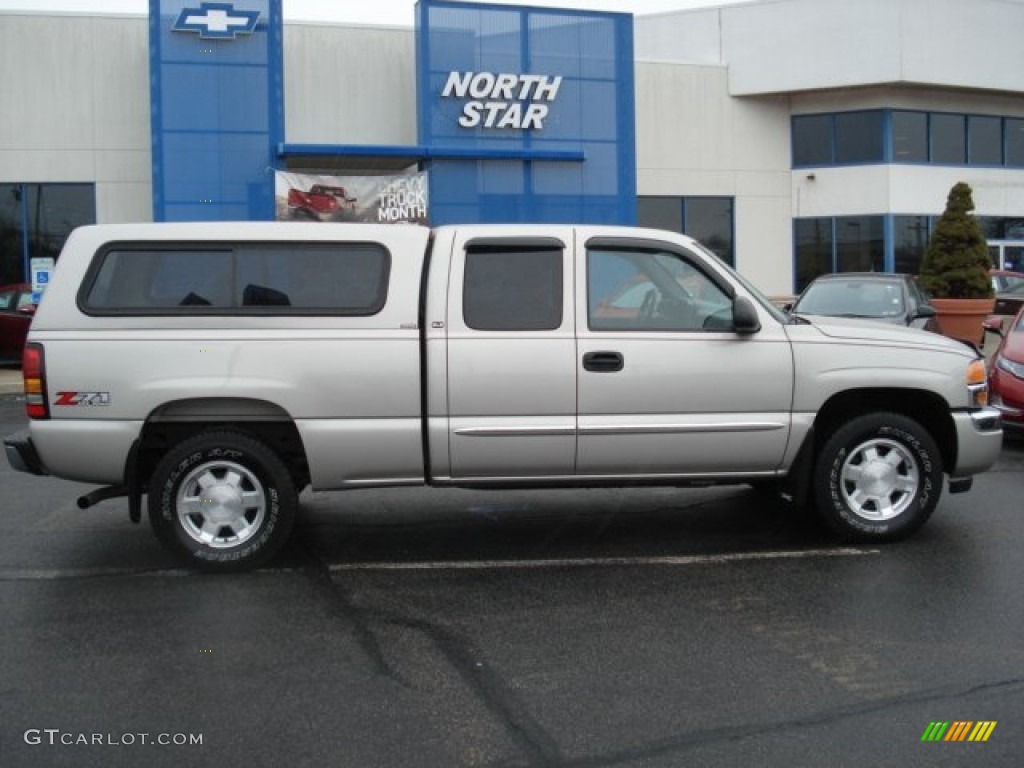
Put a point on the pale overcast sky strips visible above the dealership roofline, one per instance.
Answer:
(361, 12)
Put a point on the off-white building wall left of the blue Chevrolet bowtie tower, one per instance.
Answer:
(76, 107)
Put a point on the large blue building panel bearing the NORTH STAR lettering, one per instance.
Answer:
(590, 113)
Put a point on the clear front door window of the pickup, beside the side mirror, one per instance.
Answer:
(651, 290)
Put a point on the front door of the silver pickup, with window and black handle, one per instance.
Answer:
(666, 388)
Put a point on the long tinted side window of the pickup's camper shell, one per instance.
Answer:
(245, 279)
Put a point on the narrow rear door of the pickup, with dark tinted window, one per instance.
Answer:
(511, 358)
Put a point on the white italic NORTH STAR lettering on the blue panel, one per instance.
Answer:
(503, 101)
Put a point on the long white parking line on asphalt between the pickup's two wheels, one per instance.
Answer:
(591, 563)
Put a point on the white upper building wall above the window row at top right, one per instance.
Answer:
(800, 46)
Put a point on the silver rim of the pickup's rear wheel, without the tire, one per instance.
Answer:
(221, 504)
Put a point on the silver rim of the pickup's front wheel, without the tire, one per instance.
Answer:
(879, 480)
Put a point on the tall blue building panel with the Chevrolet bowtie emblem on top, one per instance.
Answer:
(218, 108)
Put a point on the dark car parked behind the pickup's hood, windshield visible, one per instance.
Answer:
(887, 297)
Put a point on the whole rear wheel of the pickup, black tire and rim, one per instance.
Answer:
(223, 501)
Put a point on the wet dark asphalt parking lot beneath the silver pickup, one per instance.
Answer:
(449, 628)
